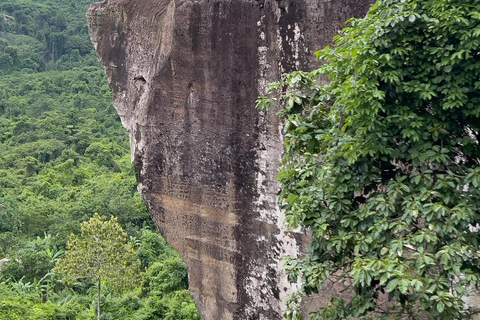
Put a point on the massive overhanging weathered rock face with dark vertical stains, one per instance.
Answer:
(185, 76)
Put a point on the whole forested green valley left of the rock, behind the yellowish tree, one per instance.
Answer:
(63, 157)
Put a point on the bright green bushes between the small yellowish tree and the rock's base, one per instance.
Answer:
(164, 292)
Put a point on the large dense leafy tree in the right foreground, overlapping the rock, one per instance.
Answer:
(382, 163)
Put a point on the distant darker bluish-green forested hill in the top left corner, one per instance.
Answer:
(40, 35)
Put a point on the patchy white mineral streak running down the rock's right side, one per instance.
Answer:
(269, 154)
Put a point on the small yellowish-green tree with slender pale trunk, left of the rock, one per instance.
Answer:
(100, 253)
